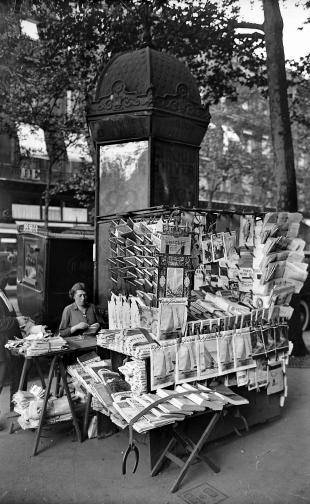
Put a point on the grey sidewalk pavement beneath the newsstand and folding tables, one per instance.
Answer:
(268, 465)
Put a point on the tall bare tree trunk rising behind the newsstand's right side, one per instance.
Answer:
(279, 112)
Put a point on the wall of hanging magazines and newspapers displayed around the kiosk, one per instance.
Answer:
(212, 289)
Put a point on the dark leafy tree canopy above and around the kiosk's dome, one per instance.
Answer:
(77, 39)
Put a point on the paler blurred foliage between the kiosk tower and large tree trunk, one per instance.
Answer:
(236, 154)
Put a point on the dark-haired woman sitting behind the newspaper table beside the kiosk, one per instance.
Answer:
(80, 316)
